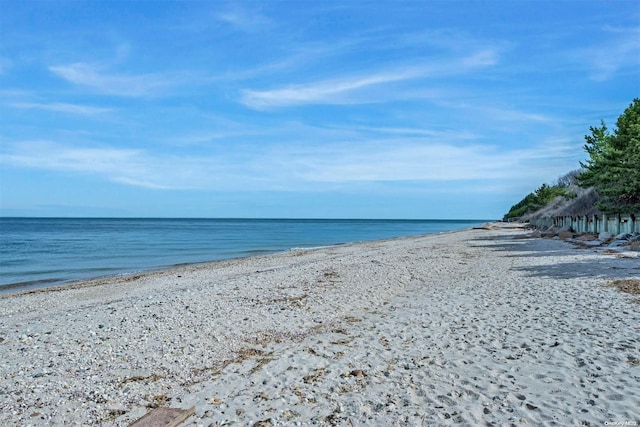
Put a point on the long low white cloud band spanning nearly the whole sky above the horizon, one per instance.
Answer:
(298, 166)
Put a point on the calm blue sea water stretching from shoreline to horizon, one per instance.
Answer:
(38, 252)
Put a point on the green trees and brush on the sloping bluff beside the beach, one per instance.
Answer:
(607, 182)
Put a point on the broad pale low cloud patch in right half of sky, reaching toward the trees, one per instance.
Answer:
(409, 160)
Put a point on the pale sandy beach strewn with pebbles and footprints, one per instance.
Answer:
(476, 327)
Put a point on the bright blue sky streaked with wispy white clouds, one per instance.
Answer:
(352, 109)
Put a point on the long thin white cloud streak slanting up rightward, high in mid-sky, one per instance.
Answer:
(337, 91)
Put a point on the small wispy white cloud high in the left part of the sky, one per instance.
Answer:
(132, 85)
